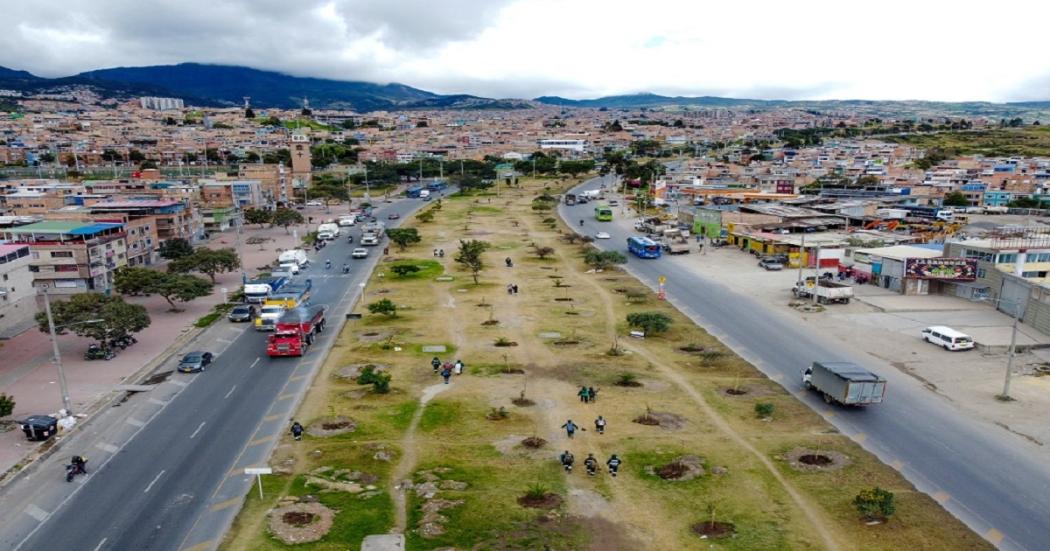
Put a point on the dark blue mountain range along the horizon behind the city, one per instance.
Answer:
(226, 86)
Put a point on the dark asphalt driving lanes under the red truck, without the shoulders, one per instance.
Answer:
(154, 491)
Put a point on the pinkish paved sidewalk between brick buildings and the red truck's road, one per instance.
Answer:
(29, 375)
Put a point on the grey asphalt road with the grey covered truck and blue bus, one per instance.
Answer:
(988, 478)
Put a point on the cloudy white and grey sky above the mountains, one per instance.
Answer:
(885, 50)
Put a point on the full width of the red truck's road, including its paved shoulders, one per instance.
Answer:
(176, 482)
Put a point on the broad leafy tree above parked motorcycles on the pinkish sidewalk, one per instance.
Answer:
(118, 319)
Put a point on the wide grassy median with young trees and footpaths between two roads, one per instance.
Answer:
(716, 455)
